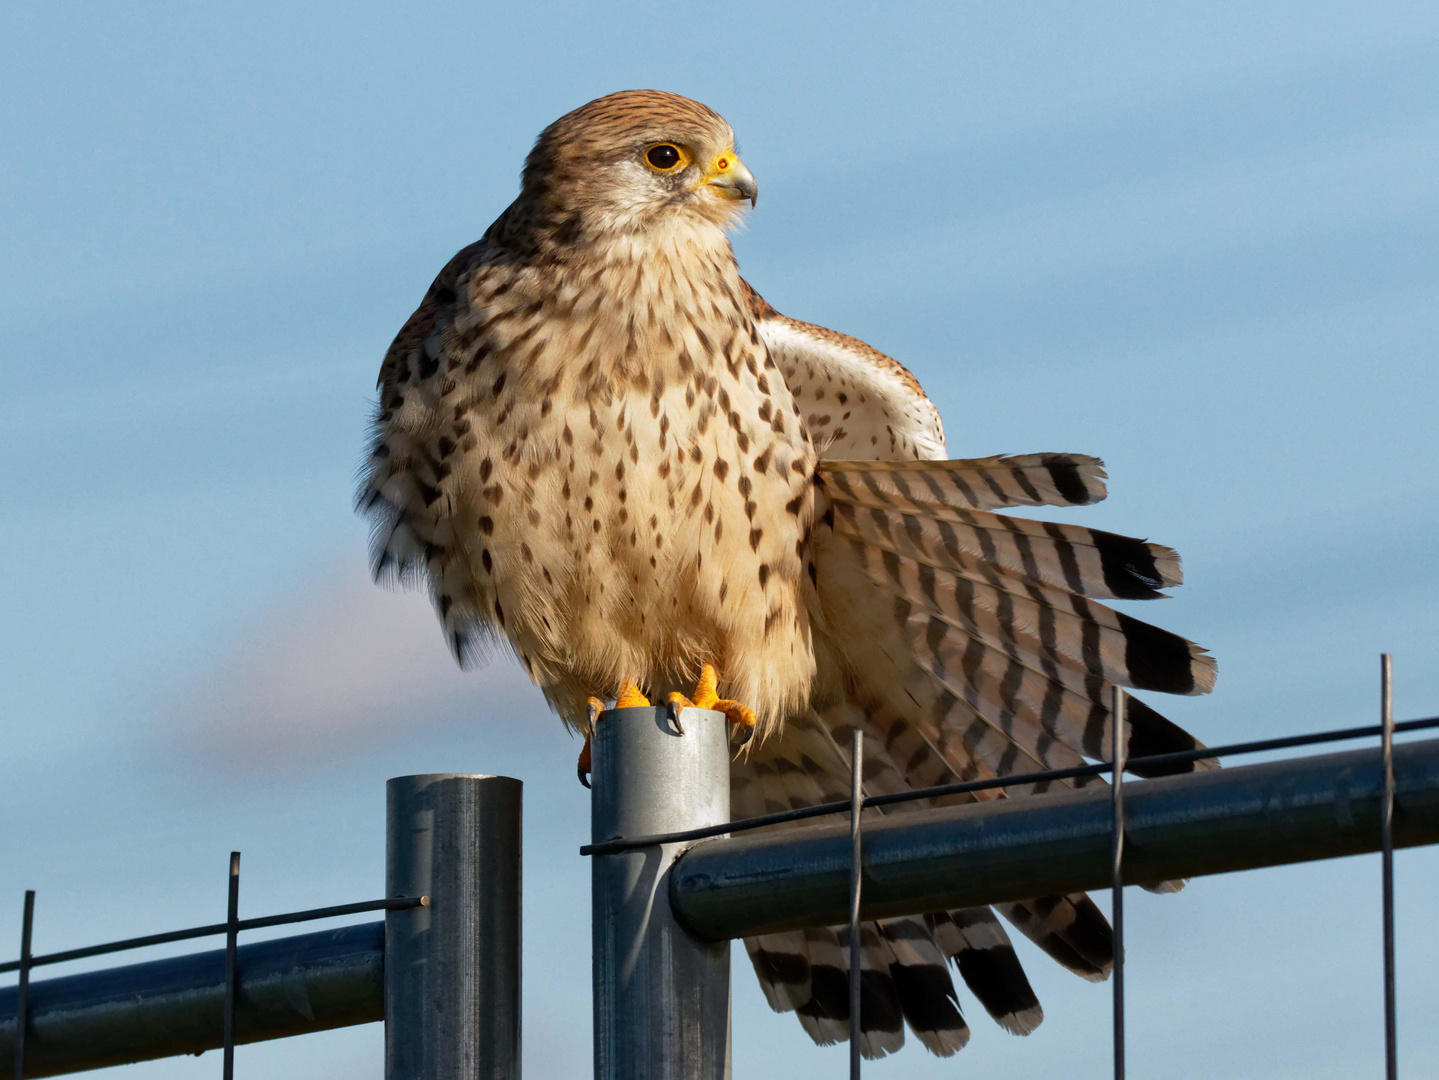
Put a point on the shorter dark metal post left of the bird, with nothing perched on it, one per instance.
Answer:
(453, 967)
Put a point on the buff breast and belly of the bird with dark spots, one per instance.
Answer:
(641, 487)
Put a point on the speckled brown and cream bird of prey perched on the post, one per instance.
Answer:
(599, 447)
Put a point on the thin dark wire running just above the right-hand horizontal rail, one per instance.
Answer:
(619, 845)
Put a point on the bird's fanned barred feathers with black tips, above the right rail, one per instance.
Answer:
(979, 632)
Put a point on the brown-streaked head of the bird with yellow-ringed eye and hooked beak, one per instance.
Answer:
(632, 162)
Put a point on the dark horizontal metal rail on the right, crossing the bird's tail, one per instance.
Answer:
(1185, 826)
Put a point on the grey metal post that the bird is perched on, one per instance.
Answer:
(661, 994)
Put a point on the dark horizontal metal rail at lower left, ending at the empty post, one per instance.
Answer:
(143, 1012)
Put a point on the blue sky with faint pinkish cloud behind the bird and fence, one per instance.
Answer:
(1199, 242)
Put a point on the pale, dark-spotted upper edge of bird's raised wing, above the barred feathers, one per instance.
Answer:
(858, 403)
